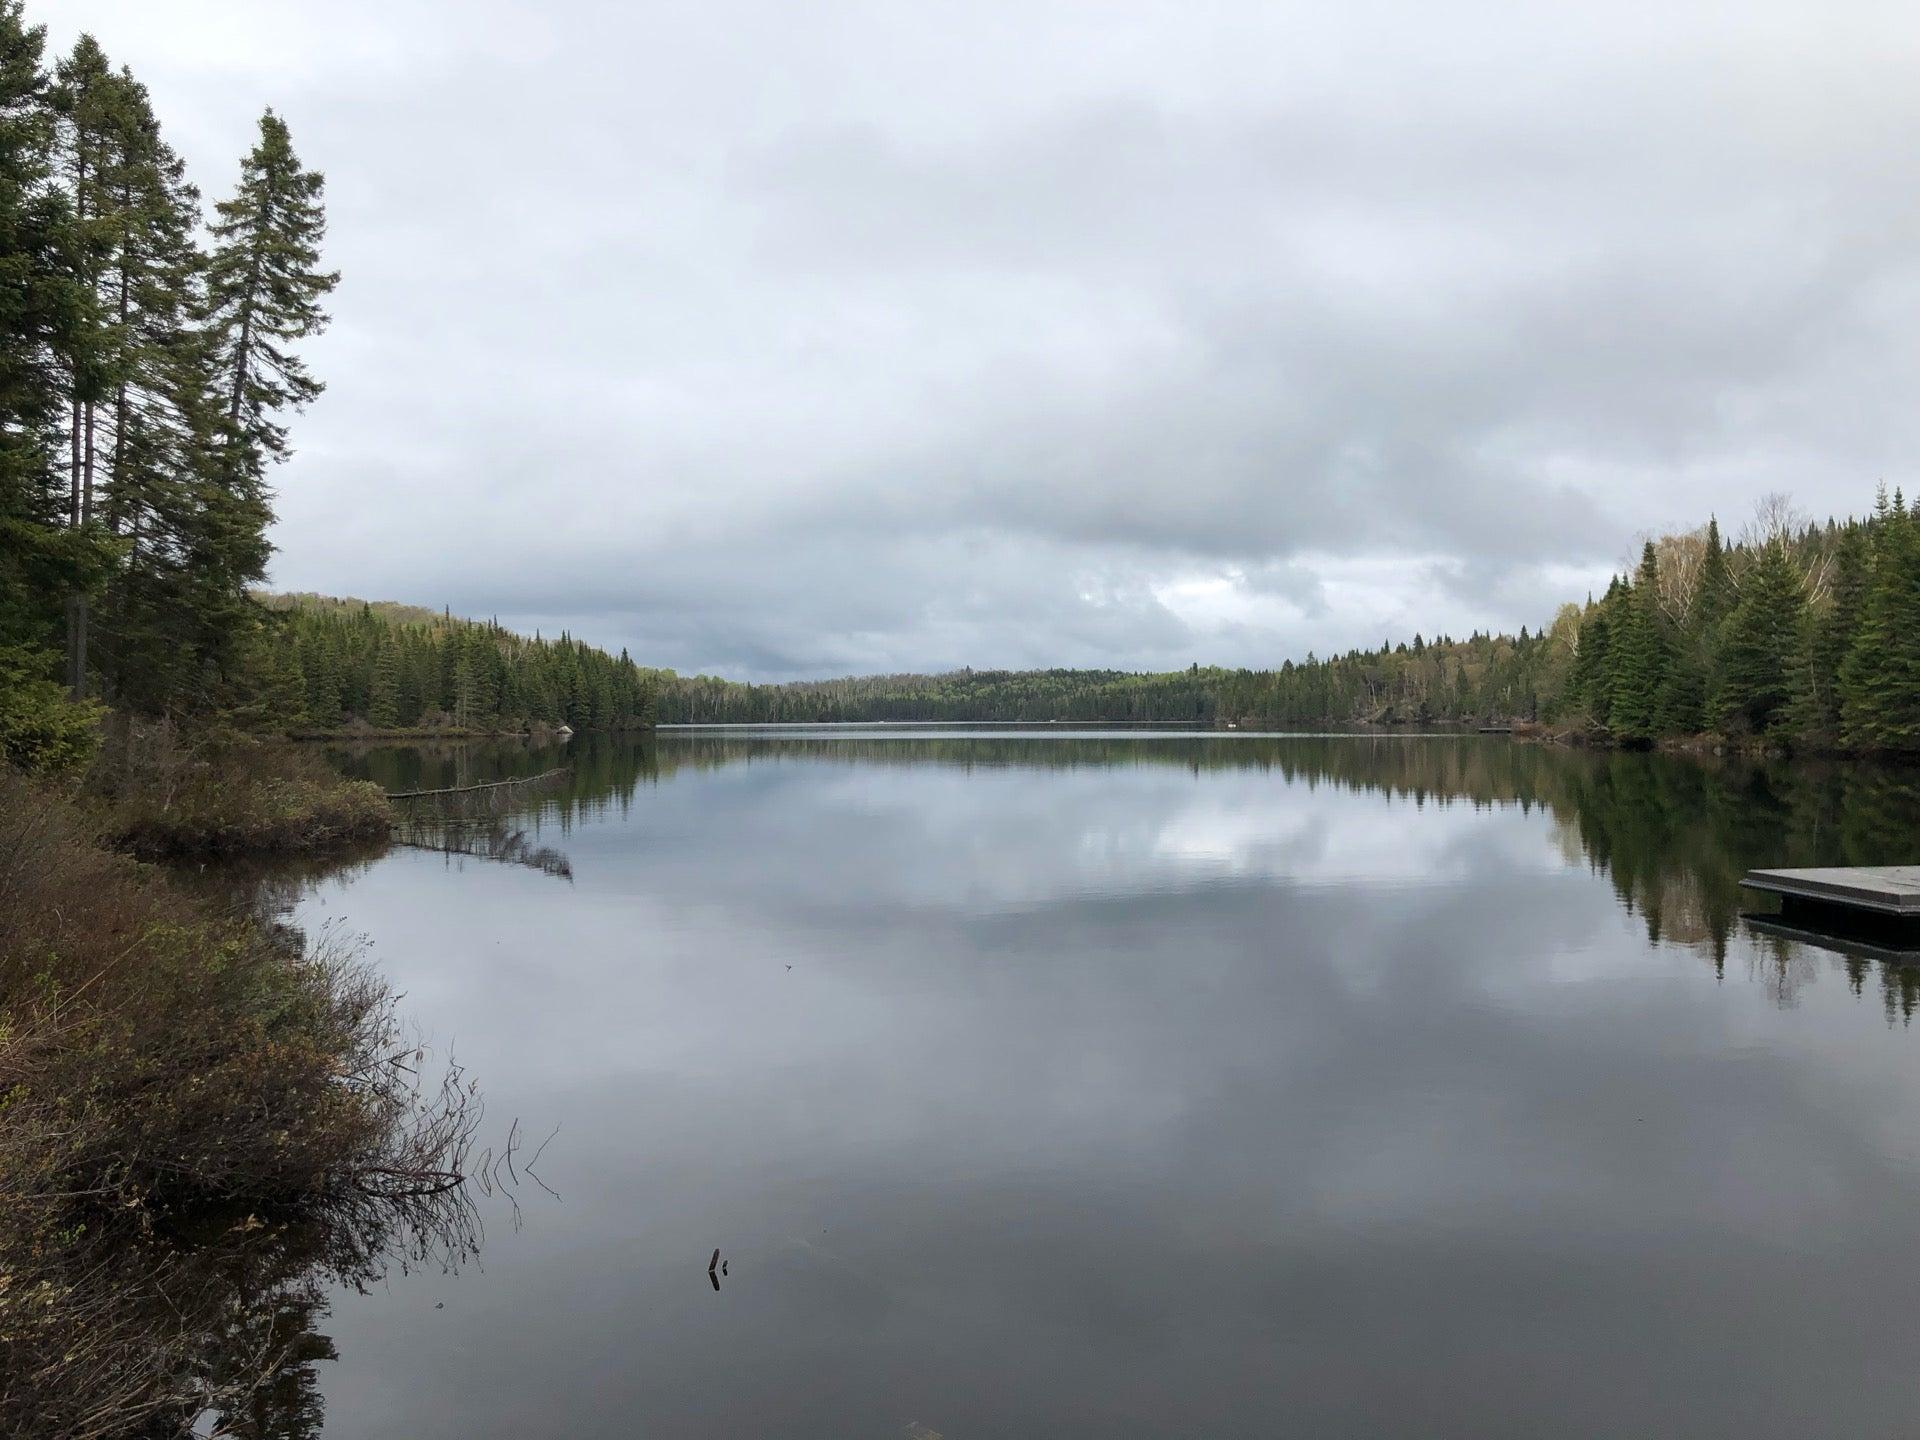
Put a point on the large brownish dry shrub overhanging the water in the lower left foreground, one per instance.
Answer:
(199, 1120)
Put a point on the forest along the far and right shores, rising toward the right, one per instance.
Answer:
(1796, 635)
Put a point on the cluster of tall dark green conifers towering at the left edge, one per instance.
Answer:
(143, 383)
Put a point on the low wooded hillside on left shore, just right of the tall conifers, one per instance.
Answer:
(396, 667)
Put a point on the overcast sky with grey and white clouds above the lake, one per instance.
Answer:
(796, 339)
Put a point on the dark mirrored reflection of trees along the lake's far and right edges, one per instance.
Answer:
(1671, 832)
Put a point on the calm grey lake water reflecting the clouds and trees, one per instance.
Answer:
(1153, 1086)
